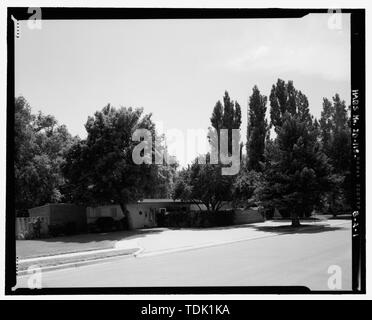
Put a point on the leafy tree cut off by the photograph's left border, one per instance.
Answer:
(40, 145)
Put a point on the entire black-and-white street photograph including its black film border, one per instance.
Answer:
(199, 150)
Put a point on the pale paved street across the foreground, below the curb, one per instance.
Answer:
(301, 258)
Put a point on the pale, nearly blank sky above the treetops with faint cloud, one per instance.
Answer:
(176, 69)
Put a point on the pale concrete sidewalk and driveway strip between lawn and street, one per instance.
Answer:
(174, 240)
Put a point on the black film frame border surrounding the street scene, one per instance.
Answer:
(358, 140)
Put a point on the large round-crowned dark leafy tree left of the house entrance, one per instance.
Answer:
(101, 169)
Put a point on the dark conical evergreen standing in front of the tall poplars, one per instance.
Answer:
(296, 172)
